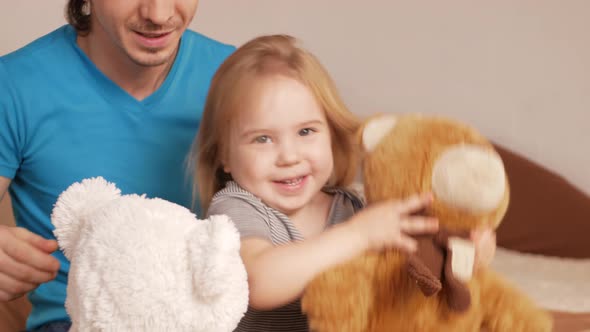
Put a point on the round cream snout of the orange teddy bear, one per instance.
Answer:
(469, 177)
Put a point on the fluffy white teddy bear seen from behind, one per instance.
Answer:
(141, 264)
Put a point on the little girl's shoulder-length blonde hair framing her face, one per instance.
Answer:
(266, 55)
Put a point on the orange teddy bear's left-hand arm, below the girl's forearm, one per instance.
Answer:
(340, 299)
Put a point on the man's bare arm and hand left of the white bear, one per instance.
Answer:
(25, 258)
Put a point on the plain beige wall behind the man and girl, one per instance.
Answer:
(518, 70)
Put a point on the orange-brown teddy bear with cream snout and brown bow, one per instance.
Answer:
(436, 288)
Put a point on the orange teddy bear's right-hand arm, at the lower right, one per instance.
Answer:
(507, 309)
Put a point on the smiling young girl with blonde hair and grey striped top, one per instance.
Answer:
(275, 152)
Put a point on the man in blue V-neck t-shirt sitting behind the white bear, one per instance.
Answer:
(116, 93)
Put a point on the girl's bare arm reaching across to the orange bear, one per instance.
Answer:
(277, 275)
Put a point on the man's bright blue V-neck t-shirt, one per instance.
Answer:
(62, 120)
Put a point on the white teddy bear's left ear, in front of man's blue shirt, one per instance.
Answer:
(74, 204)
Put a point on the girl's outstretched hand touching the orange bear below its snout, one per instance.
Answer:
(388, 224)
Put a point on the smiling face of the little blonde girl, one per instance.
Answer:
(279, 146)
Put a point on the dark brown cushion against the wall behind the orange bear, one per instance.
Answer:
(547, 214)
